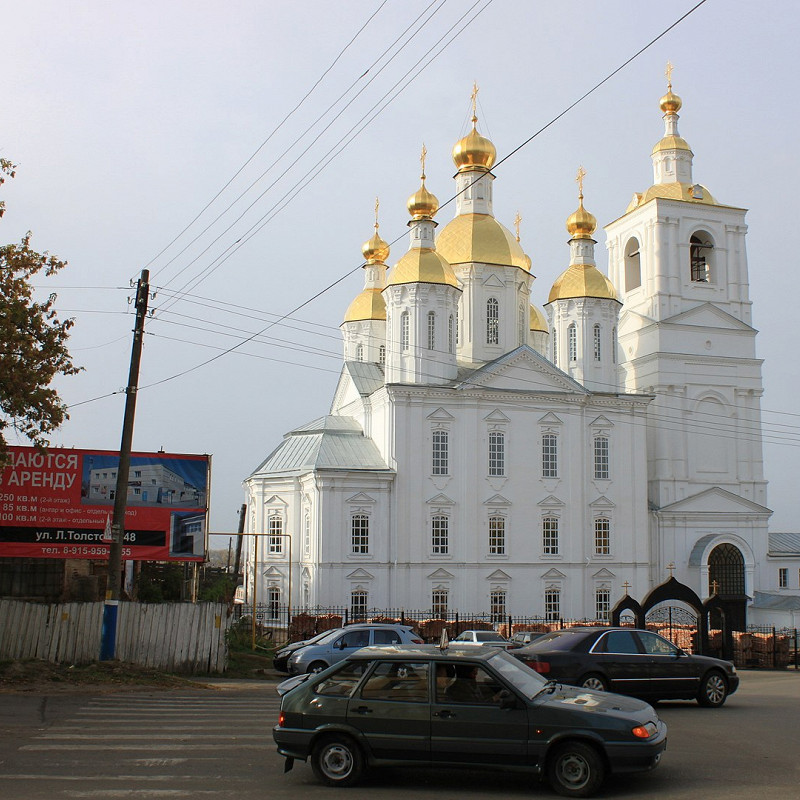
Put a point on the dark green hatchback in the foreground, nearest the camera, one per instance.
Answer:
(423, 705)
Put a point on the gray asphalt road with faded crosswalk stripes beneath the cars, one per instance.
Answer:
(217, 743)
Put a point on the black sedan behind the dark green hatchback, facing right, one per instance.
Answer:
(629, 661)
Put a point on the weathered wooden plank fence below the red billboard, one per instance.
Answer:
(175, 637)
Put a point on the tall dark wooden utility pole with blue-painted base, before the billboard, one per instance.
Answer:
(108, 641)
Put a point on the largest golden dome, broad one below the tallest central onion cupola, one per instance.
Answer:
(480, 237)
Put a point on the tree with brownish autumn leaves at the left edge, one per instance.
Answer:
(32, 343)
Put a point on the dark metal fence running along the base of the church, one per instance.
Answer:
(757, 647)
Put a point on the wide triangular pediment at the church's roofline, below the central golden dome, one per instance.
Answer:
(522, 370)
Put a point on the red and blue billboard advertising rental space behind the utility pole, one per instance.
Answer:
(59, 504)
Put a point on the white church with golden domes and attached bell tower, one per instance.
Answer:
(481, 454)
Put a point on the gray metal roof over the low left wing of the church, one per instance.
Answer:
(330, 442)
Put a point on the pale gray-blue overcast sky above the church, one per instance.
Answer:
(236, 150)
